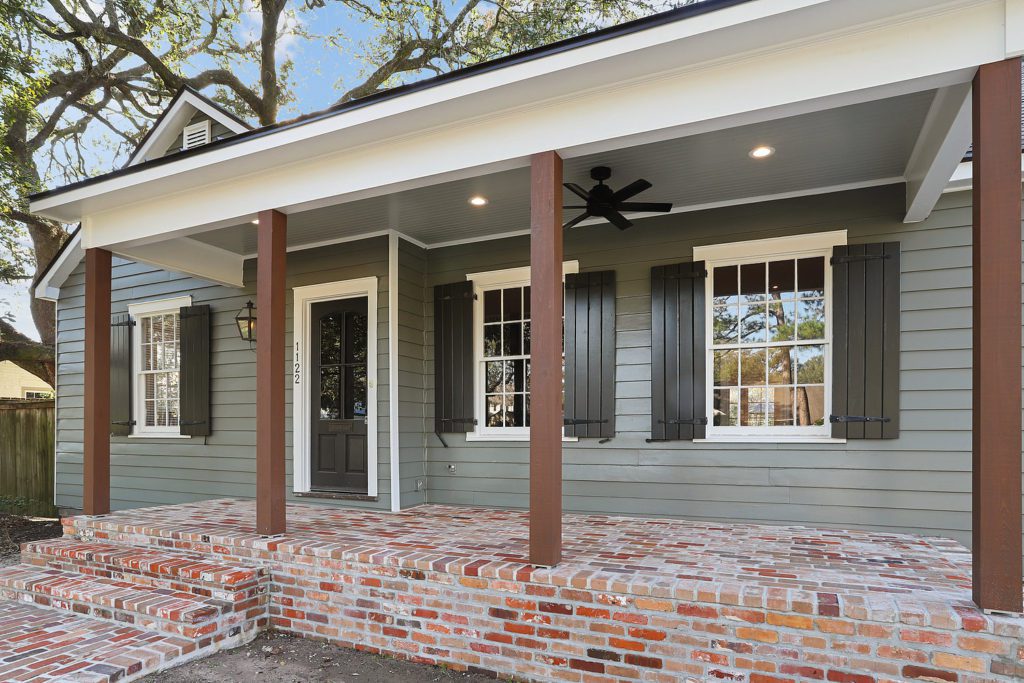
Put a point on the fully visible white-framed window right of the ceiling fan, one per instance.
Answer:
(770, 337)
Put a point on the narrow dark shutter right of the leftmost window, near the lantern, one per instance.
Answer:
(194, 411)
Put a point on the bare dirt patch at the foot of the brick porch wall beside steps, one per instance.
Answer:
(291, 660)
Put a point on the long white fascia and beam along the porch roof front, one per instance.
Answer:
(393, 153)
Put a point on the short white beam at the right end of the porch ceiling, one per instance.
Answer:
(945, 139)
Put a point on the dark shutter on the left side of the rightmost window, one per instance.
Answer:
(678, 372)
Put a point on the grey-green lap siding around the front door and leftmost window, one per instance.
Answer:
(147, 472)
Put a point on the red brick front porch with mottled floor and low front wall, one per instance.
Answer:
(634, 597)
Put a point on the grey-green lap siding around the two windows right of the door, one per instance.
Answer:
(919, 483)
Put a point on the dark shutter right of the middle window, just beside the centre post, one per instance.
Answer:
(590, 355)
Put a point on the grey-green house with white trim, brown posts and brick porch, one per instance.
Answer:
(363, 311)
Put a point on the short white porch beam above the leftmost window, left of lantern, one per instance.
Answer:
(191, 258)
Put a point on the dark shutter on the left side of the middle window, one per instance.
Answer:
(454, 358)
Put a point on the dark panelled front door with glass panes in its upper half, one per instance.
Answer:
(338, 444)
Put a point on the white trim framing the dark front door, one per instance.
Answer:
(305, 298)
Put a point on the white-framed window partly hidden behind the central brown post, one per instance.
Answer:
(501, 323)
